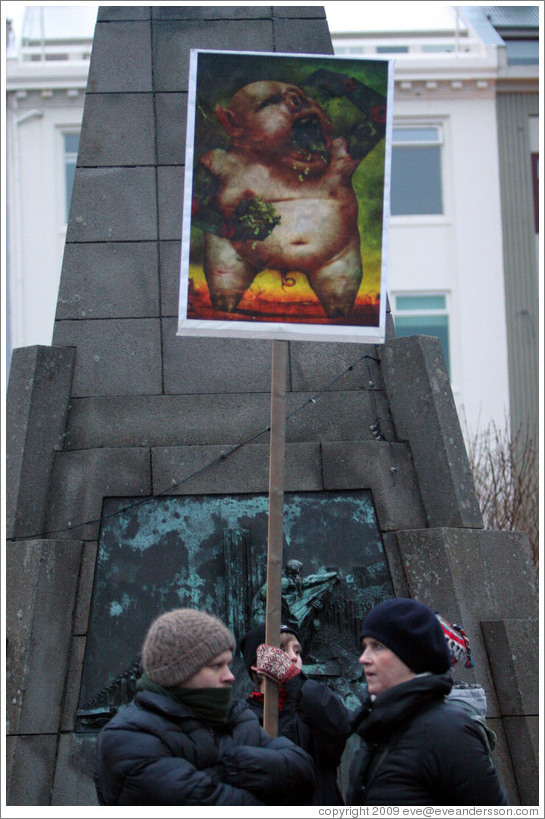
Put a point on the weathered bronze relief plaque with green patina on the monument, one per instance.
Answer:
(210, 552)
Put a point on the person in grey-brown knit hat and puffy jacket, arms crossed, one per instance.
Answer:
(183, 740)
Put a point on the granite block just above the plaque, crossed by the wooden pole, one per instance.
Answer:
(227, 469)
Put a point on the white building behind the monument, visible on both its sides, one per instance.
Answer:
(445, 252)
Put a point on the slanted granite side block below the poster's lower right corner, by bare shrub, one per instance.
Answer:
(425, 416)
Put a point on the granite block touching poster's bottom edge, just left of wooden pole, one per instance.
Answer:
(206, 365)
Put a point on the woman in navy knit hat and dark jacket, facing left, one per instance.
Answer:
(417, 748)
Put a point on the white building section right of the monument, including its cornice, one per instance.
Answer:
(445, 258)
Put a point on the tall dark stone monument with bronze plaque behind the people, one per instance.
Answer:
(138, 459)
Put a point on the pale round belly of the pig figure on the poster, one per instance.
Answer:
(310, 233)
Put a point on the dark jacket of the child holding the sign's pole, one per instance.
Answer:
(314, 717)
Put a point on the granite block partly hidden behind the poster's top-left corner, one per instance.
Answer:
(172, 41)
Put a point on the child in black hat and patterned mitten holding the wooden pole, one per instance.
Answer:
(310, 713)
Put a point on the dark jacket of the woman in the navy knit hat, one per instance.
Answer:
(419, 749)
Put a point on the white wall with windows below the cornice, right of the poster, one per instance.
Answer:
(451, 259)
